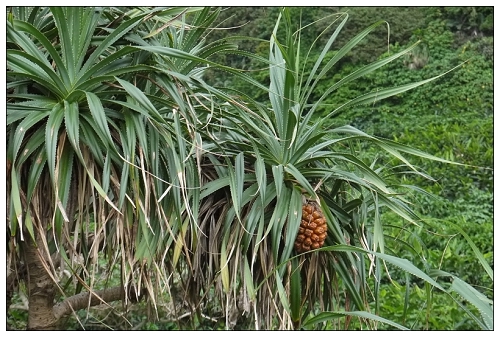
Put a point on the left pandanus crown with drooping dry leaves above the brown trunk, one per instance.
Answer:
(94, 165)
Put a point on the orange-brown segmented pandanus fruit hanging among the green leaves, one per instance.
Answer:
(312, 230)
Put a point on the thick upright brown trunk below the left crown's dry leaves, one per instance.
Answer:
(41, 289)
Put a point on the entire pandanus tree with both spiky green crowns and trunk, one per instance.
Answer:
(117, 148)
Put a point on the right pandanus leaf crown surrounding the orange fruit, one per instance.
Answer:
(272, 158)
